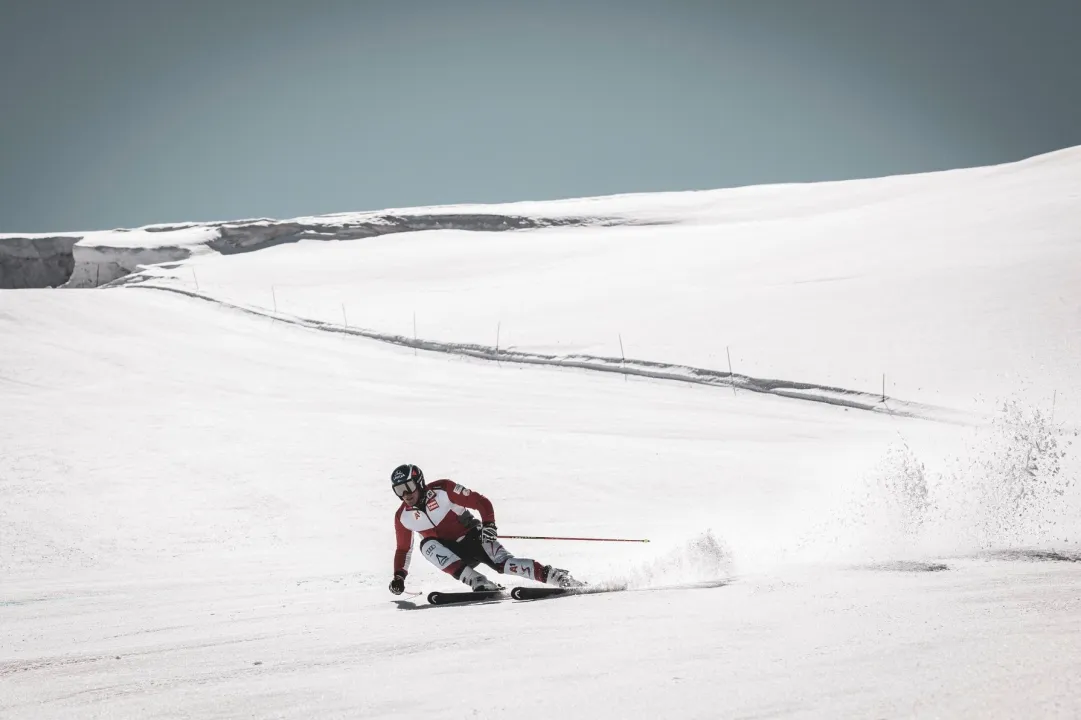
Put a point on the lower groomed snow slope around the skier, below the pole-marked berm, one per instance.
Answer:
(197, 525)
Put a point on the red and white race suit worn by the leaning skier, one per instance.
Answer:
(444, 521)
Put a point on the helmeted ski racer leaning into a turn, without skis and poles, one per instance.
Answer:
(452, 539)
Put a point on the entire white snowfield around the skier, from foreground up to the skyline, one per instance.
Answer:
(196, 515)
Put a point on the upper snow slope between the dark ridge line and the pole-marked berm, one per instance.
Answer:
(957, 289)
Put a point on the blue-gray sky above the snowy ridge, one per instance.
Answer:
(125, 113)
